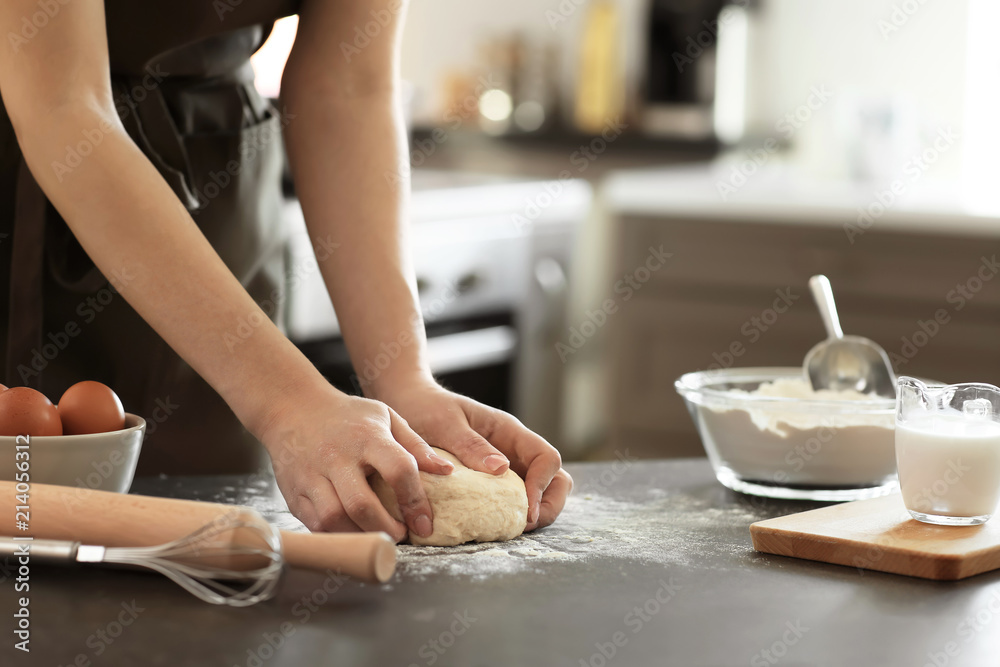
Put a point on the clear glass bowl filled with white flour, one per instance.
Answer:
(816, 448)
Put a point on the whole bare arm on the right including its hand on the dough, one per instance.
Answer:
(349, 157)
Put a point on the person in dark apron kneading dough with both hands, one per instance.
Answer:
(195, 266)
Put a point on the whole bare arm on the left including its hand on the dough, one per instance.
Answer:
(56, 88)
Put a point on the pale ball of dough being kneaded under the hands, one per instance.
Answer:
(469, 506)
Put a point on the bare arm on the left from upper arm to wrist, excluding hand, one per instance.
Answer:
(56, 88)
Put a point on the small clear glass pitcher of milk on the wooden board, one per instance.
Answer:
(948, 451)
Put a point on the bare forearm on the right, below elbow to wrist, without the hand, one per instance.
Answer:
(346, 154)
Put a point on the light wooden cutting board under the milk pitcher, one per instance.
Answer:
(878, 534)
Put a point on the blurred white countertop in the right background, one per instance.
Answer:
(781, 194)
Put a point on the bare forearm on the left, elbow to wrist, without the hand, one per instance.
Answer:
(132, 226)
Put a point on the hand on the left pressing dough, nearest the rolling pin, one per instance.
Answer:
(325, 444)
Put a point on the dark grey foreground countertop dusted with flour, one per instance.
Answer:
(650, 564)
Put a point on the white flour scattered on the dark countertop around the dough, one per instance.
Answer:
(658, 526)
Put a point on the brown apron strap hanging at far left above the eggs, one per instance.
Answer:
(24, 335)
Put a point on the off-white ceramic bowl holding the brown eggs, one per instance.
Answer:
(103, 461)
